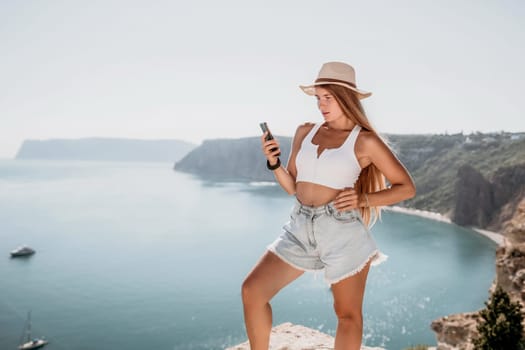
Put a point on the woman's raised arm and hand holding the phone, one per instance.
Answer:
(286, 176)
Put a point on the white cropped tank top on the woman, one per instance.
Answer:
(337, 168)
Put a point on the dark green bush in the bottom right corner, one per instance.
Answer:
(501, 324)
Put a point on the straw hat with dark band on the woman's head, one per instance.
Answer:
(337, 73)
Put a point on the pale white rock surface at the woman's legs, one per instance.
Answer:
(288, 336)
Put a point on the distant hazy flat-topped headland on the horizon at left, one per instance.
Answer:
(106, 149)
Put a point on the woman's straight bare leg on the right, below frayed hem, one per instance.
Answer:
(348, 303)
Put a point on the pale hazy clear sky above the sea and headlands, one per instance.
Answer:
(204, 69)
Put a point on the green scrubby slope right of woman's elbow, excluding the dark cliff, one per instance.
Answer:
(434, 160)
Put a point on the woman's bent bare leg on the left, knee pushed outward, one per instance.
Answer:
(269, 276)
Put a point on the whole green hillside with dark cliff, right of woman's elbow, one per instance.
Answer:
(467, 178)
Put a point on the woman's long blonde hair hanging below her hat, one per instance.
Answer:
(371, 178)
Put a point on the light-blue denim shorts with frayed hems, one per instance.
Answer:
(322, 237)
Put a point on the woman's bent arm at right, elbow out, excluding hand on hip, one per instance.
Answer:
(376, 152)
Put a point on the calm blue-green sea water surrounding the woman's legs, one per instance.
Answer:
(137, 256)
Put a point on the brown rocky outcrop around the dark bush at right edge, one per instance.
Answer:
(456, 332)
